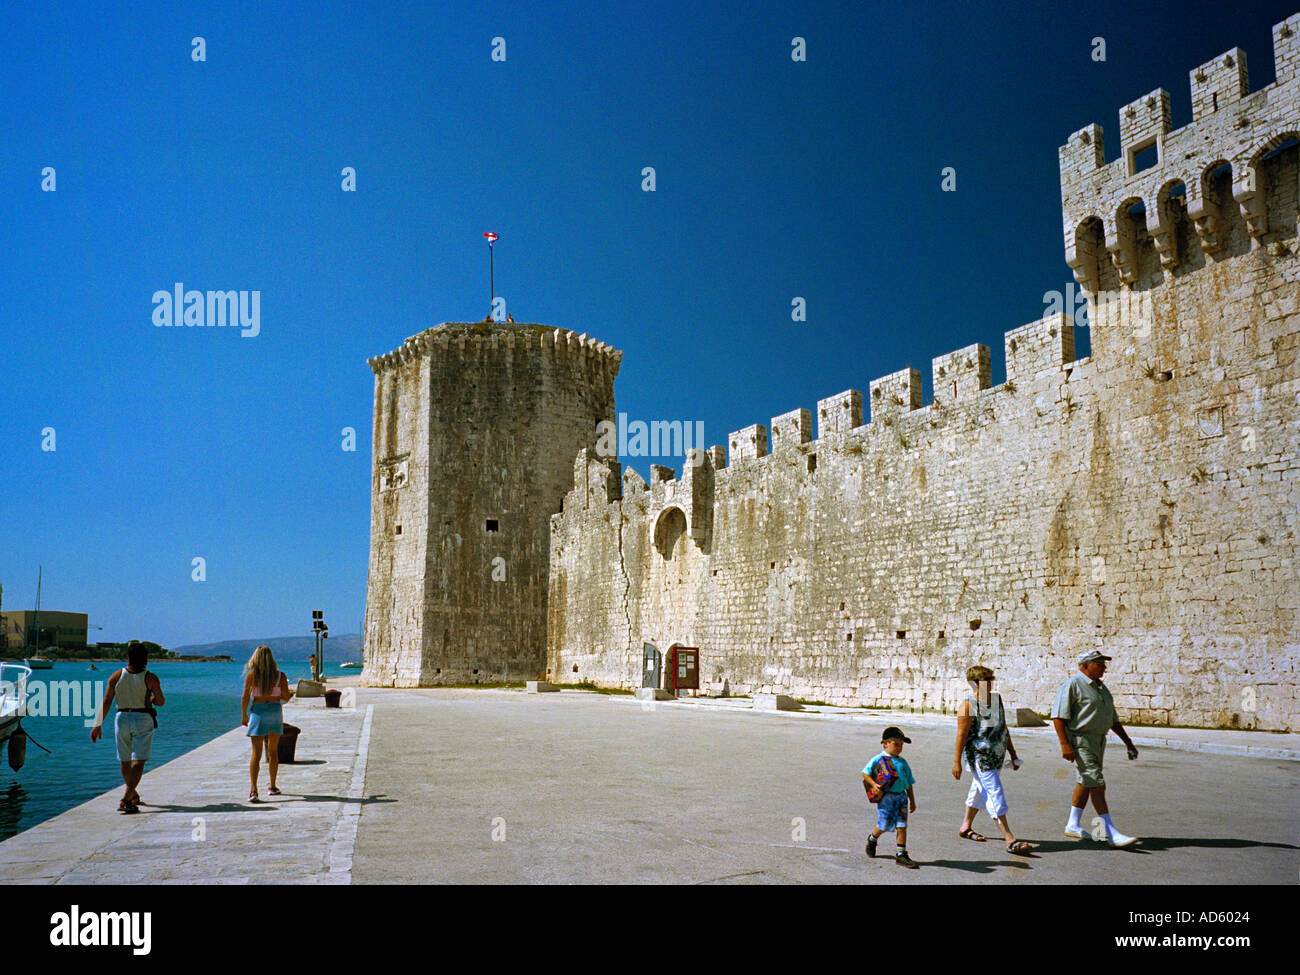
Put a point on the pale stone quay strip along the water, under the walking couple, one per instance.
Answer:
(197, 825)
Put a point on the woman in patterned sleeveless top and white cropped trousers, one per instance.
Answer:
(983, 744)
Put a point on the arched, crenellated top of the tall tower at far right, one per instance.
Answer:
(1194, 183)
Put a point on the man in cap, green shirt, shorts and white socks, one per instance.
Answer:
(1084, 713)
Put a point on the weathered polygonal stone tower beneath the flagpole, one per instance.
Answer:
(476, 430)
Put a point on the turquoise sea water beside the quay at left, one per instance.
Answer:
(202, 704)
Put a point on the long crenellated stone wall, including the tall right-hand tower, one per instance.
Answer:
(1142, 501)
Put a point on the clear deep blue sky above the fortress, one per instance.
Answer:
(774, 180)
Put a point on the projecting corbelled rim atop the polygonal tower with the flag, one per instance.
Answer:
(478, 339)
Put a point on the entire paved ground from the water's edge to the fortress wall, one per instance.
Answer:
(505, 787)
